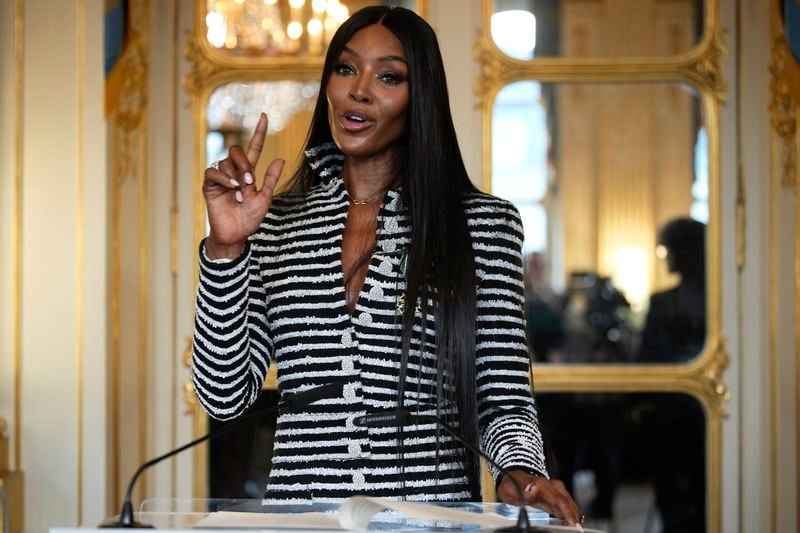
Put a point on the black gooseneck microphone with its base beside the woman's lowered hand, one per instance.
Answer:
(405, 418)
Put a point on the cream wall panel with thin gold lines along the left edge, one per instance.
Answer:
(63, 304)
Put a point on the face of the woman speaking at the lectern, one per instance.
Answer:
(368, 94)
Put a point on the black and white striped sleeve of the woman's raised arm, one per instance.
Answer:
(232, 346)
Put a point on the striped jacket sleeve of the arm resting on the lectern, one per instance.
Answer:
(507, 413)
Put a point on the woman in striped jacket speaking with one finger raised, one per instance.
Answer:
(382, 266)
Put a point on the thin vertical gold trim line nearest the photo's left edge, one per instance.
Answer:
(19, 100)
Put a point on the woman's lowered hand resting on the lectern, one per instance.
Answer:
(547, 494)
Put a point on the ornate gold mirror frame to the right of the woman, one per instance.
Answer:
(699, 68)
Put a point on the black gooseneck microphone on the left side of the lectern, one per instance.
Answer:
(291, 402)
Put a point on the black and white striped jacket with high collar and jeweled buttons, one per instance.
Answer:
(283, 302)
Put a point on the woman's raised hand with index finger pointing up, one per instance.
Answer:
(235, 206)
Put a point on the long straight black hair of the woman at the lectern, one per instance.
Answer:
(440, 270)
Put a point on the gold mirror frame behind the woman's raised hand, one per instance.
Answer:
(210, 70)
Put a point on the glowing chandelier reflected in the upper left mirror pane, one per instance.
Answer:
(274, 27)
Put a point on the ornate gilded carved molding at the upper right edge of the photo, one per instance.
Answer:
(783, 111)
